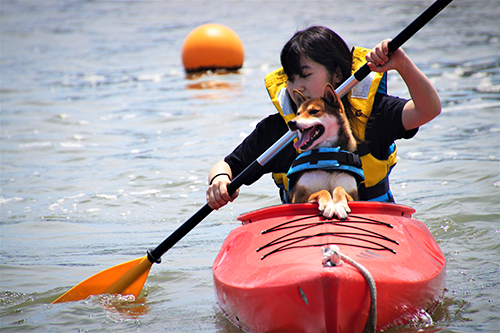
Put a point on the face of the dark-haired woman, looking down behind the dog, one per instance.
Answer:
(311, 81)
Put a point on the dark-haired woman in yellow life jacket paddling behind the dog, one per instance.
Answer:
(310, 59)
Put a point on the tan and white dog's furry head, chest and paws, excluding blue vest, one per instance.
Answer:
(321, 122)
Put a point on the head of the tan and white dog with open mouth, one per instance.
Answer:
(320, 122)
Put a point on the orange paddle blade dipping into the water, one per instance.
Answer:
(126, 279)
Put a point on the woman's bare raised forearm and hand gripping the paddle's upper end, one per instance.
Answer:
(425, 104)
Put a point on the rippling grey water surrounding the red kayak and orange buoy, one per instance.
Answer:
(106, 145)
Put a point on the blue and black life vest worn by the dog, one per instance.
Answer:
(326, 159)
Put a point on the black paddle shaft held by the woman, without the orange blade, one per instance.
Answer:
(257, 165)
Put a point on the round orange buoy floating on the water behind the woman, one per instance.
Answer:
(212, 46)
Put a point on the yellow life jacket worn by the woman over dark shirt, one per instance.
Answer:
(362, 96)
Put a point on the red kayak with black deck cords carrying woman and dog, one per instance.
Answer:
(273, 273)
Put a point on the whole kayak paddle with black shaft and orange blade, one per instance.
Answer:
(129, 278)
